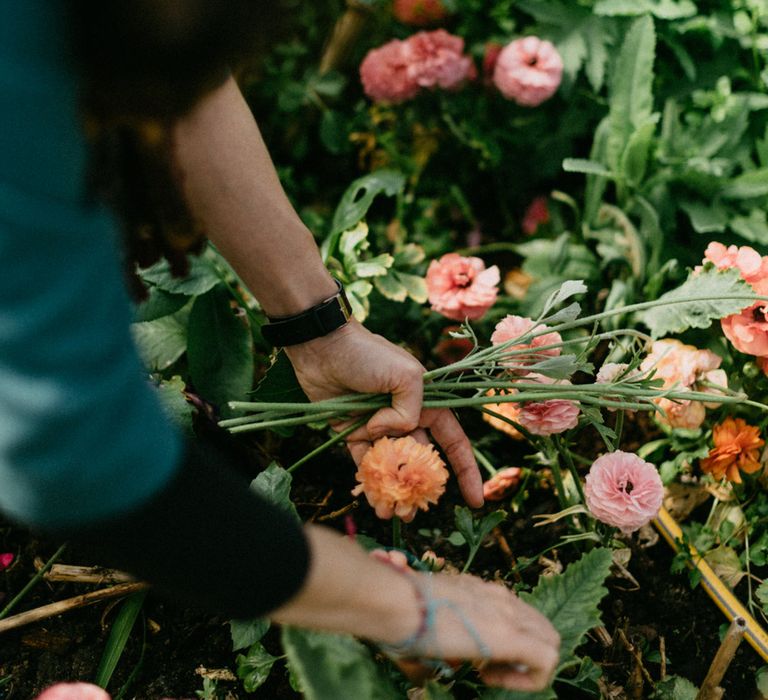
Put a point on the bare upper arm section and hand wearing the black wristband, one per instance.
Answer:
(233, 189)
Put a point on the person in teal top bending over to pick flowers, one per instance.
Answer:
(85, 451)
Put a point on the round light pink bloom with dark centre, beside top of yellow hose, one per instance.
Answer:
(623, 490)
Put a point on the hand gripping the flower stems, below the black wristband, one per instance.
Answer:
(352, 359)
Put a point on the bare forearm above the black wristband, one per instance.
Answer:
(233, 190)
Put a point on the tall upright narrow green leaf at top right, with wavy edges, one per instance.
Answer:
(631, 98)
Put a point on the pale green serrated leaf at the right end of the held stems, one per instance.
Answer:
(710, 283)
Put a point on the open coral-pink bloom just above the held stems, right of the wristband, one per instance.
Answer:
(461, 288)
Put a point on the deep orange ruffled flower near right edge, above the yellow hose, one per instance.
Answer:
(737, 447)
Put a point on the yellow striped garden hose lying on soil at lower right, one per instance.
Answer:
(712, 584)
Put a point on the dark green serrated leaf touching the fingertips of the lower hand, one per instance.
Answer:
(570, 600)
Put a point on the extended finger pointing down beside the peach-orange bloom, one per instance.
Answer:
(447, 432)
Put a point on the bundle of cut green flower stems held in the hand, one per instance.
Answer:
(507, 373)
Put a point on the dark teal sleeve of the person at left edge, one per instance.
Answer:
(82, 436)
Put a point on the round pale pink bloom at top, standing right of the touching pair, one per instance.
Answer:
(528, 71)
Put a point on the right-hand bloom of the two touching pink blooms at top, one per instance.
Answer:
(436, 59)
